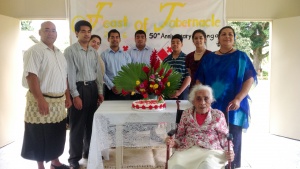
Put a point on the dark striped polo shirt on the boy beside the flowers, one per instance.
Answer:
(178, 64)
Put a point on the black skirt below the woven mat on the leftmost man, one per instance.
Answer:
(44, 142)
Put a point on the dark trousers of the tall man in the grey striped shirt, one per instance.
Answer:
(81, 122)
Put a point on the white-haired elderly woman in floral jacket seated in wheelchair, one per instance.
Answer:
(201, 138)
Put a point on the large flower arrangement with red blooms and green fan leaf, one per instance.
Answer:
(155, 79)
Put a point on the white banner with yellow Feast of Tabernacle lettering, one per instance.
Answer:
(160, 19)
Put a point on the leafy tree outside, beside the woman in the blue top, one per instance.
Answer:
(253, 38)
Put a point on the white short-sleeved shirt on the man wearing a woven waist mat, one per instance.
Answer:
(49, 66)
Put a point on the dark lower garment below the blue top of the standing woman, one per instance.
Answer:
(236, 132)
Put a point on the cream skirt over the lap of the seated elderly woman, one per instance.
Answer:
(197, 158)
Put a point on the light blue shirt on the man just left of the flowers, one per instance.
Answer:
(113, 62)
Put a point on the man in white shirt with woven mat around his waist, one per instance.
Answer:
(45, 75)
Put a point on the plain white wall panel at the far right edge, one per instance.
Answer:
(285, 79)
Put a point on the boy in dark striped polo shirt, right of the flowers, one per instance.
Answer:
(177, 60)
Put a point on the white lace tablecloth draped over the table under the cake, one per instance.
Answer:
(116, 124)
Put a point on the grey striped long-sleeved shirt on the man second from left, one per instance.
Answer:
(83, 66)
